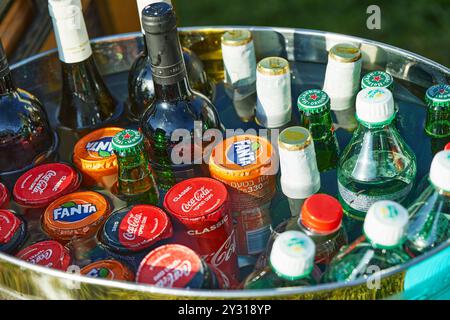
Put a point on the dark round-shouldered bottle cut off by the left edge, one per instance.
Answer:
(26, 138)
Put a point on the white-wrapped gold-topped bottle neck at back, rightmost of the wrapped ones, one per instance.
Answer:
(343, 76)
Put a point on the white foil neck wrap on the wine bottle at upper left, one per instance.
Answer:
(70, 30)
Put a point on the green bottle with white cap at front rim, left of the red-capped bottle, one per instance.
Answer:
(291, 264)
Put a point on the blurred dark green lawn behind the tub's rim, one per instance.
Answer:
(419, 26)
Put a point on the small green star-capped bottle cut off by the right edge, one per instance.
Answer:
(437, 99)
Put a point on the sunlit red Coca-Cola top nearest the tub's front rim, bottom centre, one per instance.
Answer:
(172, 266)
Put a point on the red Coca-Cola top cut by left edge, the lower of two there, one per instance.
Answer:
(13, 231)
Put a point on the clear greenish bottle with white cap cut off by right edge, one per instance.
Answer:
(430, 213)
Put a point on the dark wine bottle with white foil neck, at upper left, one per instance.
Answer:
(86, 101)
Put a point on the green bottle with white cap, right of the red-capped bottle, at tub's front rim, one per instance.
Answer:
(381, 248)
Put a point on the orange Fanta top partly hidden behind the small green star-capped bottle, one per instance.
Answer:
(94, 157)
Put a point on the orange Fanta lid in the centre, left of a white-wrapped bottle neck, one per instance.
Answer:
(241, 158)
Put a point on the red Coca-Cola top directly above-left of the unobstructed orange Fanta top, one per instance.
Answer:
(44, 184)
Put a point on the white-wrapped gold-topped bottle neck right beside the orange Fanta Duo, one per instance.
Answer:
(300, 177)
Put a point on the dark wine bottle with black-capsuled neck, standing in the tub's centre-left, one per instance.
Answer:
(175, 106)
